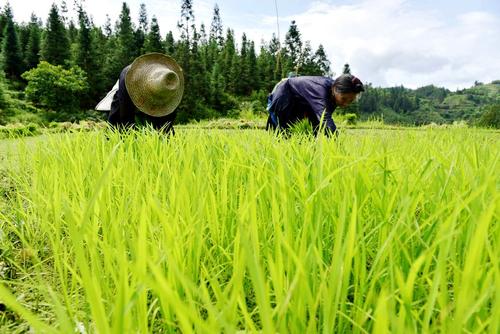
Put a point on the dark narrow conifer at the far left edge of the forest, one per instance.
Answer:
(11, 57)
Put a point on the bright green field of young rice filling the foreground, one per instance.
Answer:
(237, 231)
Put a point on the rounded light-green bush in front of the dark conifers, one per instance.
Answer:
(56, 88)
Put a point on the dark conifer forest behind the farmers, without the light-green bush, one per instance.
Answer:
(219, 69)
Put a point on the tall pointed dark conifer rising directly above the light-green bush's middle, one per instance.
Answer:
(55, 46)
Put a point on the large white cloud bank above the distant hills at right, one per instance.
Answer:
(390, 42)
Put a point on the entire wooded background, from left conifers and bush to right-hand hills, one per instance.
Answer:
(68, 64)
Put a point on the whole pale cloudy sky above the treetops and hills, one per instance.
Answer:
(386, 42)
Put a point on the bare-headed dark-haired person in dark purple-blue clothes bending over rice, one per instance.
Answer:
(313, 98)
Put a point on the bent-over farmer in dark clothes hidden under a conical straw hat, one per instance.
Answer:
(149, 90)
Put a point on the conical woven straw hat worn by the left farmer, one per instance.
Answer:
(155, 83)
